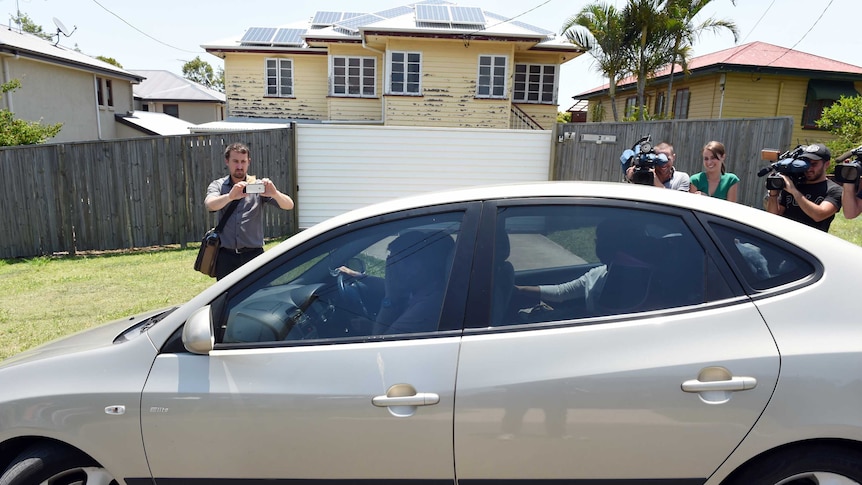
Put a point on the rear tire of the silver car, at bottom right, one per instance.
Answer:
(808, 465)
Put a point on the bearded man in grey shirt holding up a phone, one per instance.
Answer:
(242, 236)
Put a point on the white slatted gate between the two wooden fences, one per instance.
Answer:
(344, 167)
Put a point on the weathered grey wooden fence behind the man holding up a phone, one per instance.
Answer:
(64, 198)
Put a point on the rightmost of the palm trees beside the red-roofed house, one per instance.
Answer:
(680, 15)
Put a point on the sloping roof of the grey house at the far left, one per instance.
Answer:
(30, 46)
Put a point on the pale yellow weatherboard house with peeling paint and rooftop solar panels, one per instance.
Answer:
(426, 64)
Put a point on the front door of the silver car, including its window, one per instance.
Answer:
(317, 403)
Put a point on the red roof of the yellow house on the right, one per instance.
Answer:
(754, 56)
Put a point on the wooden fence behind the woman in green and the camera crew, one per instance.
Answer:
(591, 151)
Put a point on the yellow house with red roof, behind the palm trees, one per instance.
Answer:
(752, 80)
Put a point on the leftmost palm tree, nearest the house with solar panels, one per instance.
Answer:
(599, 29)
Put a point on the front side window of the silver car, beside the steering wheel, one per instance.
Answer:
(384, 279)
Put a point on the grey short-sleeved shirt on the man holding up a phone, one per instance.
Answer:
(244, 229)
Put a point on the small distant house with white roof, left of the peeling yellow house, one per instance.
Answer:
(172, 94)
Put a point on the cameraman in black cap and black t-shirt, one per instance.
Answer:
(816, 200)
